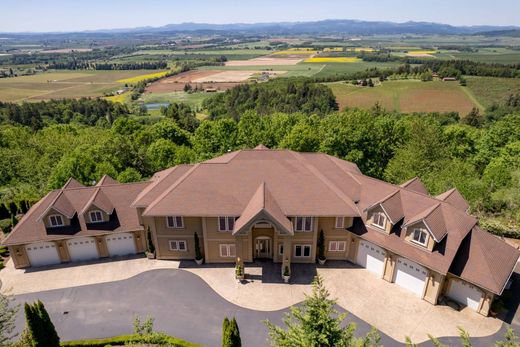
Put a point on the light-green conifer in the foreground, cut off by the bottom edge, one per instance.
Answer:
(317, 323)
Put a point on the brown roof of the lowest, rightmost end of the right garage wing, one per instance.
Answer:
(485, 260)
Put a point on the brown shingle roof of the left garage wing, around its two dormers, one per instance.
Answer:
(32, 229)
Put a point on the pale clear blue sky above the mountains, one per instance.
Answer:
(71, 15)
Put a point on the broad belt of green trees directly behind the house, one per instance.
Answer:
(47, 143)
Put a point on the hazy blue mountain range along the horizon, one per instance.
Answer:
(330, 26)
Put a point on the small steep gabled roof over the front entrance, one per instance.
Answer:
(263, 206)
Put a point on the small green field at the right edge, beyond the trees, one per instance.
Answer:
(490, 90)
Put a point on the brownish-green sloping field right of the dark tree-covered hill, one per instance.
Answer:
(405, 96)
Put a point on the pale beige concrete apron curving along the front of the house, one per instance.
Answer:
(394, 311)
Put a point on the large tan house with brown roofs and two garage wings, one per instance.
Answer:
(272, 204)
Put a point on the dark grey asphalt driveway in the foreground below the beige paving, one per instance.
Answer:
(183, 305)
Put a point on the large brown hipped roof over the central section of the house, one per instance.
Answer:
(304, 184)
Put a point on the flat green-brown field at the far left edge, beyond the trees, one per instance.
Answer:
(66, 84)
